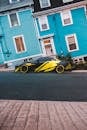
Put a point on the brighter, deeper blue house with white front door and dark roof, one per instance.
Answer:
(62, 27)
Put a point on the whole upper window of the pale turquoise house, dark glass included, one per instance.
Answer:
(14, 20)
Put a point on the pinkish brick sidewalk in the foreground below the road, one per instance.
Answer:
(42, 115)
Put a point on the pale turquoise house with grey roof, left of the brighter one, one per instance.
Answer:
(18, 38)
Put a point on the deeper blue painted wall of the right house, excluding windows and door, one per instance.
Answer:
(79, 27)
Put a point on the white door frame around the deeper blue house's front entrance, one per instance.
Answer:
(52, 44)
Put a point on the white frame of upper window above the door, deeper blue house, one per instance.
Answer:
(46, 21)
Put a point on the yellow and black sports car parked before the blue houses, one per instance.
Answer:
(44, 64)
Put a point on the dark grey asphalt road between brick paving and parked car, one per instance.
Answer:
(41, 86)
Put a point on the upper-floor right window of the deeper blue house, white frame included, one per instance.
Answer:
(66, 18)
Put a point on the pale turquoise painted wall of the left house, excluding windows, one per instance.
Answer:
(26, 28)
